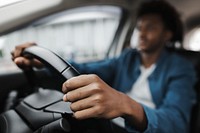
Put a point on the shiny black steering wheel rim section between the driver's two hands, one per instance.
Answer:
(52, 61)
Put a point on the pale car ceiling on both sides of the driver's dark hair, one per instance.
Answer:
(14, 15)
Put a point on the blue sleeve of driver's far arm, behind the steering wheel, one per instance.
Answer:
(105, 69)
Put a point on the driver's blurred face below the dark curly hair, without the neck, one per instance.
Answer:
(152, 33)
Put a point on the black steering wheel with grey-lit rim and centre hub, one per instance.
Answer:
(43, 109)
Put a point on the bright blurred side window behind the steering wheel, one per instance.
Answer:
(82, 34)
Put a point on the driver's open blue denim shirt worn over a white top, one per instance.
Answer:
(171, 85)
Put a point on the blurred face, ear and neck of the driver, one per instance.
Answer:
(152, 38)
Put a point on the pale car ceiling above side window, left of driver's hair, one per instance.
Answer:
(14, 15)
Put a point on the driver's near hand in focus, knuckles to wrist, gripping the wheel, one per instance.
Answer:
(92, 98)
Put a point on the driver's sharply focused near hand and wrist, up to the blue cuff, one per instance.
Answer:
(91, 97)
